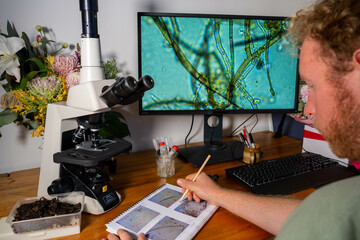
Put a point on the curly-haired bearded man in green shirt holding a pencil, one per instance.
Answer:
(329, 37)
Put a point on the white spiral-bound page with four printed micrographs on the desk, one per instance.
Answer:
(161, 216)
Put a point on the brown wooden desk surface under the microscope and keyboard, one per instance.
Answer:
(136, 177)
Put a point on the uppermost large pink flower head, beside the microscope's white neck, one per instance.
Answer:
(64, 64)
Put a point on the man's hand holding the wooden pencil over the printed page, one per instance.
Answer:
(203, 188)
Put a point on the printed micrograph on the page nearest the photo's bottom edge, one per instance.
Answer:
(166, 229)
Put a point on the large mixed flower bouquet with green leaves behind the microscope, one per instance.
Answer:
(34, 74)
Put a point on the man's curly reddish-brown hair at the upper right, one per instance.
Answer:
(335, 24)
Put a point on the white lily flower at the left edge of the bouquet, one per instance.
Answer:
(9, 61)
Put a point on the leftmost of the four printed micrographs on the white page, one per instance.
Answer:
(137, 218)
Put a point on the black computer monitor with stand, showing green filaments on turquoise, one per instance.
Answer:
(213, 65)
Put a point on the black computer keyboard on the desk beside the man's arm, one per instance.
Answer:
(290, 174)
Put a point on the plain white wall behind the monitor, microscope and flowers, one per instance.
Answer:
(118, 34)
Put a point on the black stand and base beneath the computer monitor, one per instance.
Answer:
(220, 151)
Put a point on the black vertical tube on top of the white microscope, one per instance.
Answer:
(89, 9)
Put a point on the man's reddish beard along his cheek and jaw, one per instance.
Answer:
(342, 132)
